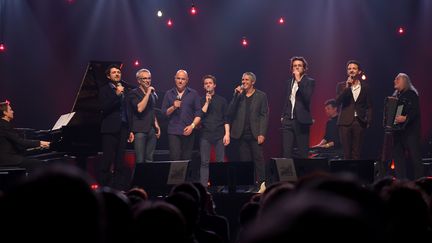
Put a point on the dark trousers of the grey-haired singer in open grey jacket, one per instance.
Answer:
(250, 150)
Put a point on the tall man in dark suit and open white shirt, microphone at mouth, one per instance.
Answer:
(296, 117)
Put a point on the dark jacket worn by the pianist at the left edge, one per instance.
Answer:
(12, 145)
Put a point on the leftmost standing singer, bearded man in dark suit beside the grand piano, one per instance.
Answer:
(115, 132)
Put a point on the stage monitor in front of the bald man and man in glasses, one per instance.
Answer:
(158, 177)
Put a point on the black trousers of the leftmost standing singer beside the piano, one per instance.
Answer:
(112, 170)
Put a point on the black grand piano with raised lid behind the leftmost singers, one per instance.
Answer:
(80, 138)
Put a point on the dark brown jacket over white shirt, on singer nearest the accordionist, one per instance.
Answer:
(363, 105)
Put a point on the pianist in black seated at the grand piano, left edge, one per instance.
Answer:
(13, 146)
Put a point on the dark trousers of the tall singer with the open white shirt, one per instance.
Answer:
(295, 133)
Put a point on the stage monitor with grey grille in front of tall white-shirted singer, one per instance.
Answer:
(283, 169)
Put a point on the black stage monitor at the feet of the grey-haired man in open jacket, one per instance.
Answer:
(231, 174)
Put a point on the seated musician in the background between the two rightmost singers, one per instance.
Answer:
(329, 146)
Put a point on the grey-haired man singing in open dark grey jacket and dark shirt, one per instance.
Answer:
(249, 113)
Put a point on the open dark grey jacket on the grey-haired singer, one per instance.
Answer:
(259, 114)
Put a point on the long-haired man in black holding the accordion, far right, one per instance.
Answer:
(407, 140)
